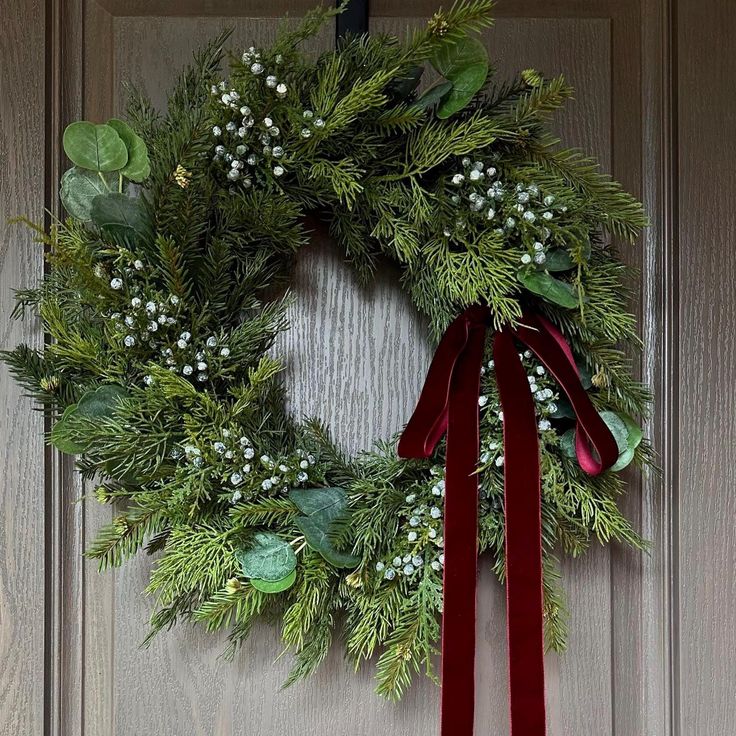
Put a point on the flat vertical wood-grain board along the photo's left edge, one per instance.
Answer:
(22, 501)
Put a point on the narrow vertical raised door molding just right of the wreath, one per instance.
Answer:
(660, 298)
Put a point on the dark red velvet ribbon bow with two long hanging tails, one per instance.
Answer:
(449, 404)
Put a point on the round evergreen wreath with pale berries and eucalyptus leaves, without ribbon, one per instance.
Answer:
(169, 282)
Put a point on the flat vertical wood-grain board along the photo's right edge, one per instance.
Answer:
(707, 428)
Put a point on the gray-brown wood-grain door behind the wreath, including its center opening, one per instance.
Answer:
(652, 645)
